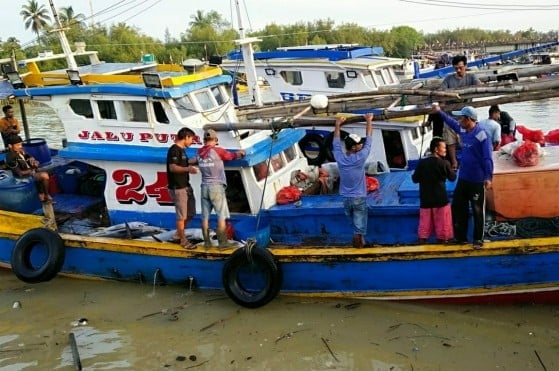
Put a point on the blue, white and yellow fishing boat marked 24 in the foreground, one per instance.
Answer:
(119, 120)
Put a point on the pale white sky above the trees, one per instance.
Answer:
(154, 17)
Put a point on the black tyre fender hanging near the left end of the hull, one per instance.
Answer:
(49, 250)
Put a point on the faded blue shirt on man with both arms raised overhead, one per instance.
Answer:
(352, 168)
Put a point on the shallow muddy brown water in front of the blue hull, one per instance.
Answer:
(140, 327)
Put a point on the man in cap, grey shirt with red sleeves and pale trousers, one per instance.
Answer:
(210, 159)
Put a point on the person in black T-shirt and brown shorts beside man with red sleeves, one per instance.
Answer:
(179, 168)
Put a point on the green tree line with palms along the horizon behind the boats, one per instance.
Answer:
(208, 33)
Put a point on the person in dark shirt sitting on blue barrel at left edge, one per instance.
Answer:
(24, 165)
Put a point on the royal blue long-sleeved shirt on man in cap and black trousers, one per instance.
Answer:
(477, 161)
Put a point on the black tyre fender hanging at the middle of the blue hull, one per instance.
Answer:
(251, 277)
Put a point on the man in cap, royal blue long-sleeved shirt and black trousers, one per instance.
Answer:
(475, 176)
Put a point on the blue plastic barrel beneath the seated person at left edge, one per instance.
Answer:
(19, 195)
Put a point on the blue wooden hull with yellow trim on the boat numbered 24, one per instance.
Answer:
(524, 270)
